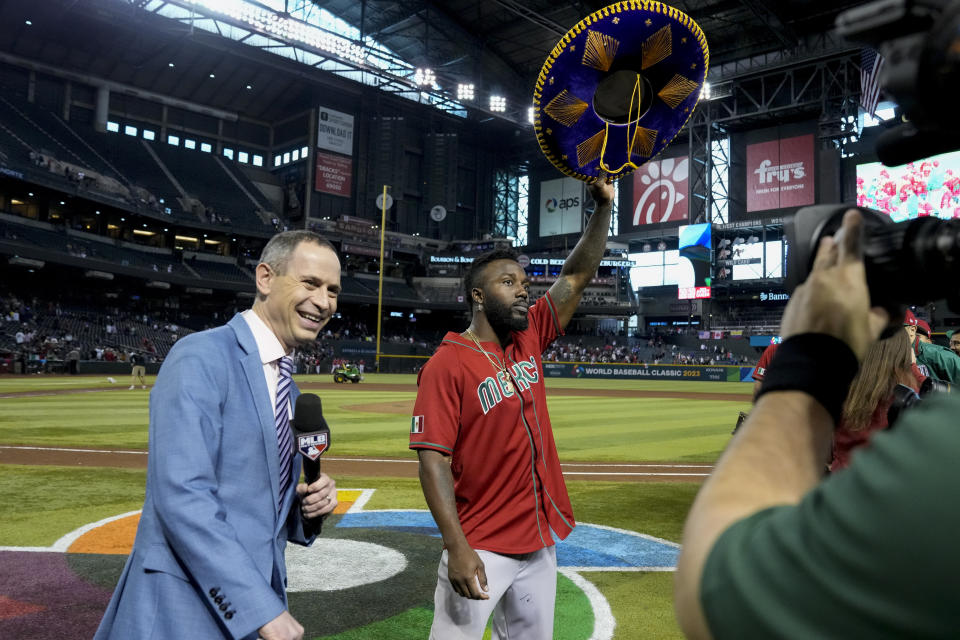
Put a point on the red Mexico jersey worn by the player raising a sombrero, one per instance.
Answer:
(507, 480)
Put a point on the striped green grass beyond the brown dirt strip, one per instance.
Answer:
(588, 429)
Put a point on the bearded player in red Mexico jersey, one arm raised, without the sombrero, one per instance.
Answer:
(488, 462)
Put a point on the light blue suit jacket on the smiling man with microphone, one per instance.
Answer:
(208, 560)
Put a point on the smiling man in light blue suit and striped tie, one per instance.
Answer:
(222, 498)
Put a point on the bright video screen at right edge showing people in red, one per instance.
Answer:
(928, 187)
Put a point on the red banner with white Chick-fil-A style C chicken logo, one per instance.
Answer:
(660, 191)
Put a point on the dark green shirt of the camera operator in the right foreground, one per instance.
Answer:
(872, 552)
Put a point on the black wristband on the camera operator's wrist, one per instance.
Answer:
(814, 363)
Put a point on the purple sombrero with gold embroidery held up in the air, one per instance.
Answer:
(618, 87)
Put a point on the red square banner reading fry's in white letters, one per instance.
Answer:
(780, 173)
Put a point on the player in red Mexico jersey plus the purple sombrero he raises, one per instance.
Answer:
(488, 461)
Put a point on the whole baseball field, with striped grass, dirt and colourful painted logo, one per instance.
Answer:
(73, 468)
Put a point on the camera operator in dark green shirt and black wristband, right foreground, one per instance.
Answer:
(770, 548)
